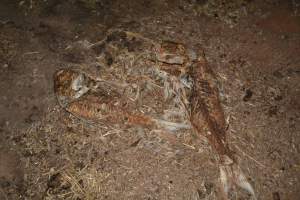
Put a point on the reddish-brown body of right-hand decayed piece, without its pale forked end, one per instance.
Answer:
(207, 115)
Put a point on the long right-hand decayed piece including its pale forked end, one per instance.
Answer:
(207, 117)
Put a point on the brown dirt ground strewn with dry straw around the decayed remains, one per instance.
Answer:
(45, 153)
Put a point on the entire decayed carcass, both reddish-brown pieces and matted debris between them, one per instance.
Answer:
(155, 85)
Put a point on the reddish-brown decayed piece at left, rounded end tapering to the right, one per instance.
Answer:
(101, 105)
